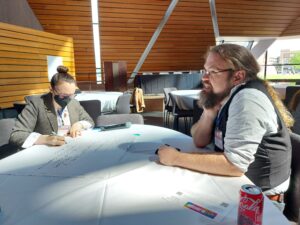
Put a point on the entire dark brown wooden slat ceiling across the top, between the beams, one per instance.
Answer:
(127, 26)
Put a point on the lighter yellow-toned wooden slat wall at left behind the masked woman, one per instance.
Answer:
(23, 61)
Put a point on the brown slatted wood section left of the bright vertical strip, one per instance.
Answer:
(71, 18)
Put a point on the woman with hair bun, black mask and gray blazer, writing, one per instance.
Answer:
(49, 118)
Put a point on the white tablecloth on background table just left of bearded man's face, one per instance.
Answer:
(185, 98)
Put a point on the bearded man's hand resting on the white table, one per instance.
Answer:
(168, 155)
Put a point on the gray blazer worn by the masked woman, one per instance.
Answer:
(39, 116)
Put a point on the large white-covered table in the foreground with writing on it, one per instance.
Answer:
(112, 178)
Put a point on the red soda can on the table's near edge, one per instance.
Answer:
(251, 205)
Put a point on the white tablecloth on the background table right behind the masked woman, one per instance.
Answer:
(108, 99)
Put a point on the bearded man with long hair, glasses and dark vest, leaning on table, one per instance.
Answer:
(244, 119)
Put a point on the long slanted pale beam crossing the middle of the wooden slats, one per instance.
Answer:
(153, 40)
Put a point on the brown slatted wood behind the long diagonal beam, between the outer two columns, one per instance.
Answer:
(127, 27)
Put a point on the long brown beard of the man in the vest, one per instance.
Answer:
(208, 99)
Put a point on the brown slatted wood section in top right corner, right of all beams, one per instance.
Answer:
(256, 18)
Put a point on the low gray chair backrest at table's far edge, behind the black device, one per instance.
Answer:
(109, 119)
